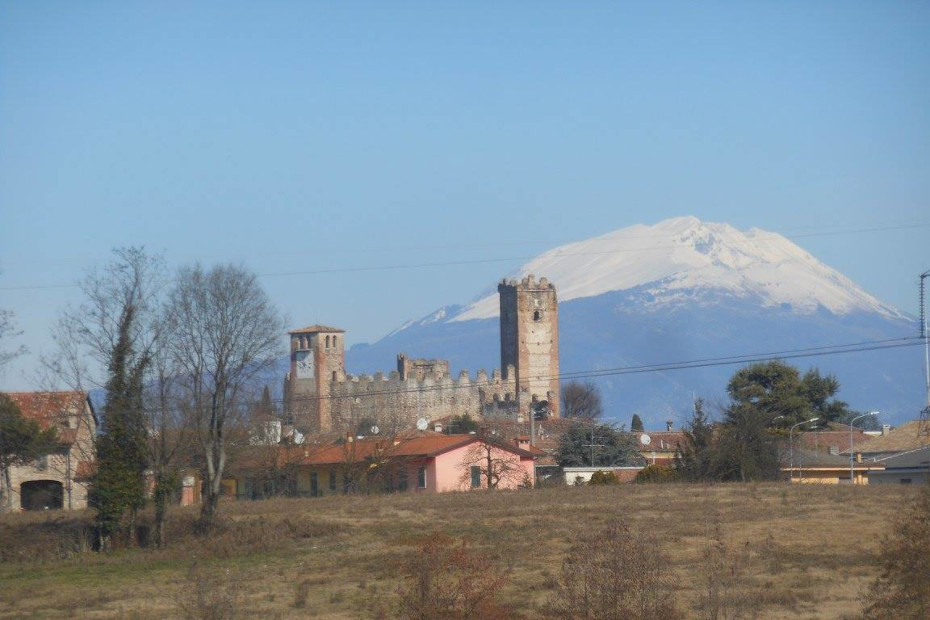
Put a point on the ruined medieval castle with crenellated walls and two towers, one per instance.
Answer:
(321, 397)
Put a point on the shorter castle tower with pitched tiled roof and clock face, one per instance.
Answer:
(317, 359)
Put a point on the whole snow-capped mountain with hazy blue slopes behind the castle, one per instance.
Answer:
(677, 291)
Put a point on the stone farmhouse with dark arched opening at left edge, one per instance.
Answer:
(59, 479)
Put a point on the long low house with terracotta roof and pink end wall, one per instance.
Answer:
(417, 463)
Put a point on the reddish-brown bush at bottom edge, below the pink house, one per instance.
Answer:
(450, 580)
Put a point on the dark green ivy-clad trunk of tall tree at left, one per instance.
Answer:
(118, 486)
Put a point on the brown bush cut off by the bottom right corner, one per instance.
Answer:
(903, 589)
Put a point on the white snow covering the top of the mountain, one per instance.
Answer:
(675, 257)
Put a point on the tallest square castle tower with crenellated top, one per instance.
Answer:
(530, 340)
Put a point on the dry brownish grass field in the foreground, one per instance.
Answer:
(773, 550)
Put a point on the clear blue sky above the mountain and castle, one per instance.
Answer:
(312, 136)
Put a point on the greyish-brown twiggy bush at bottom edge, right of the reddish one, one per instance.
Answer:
(609, 574)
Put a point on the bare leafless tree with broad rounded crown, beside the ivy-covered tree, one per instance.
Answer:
(226, 334)
